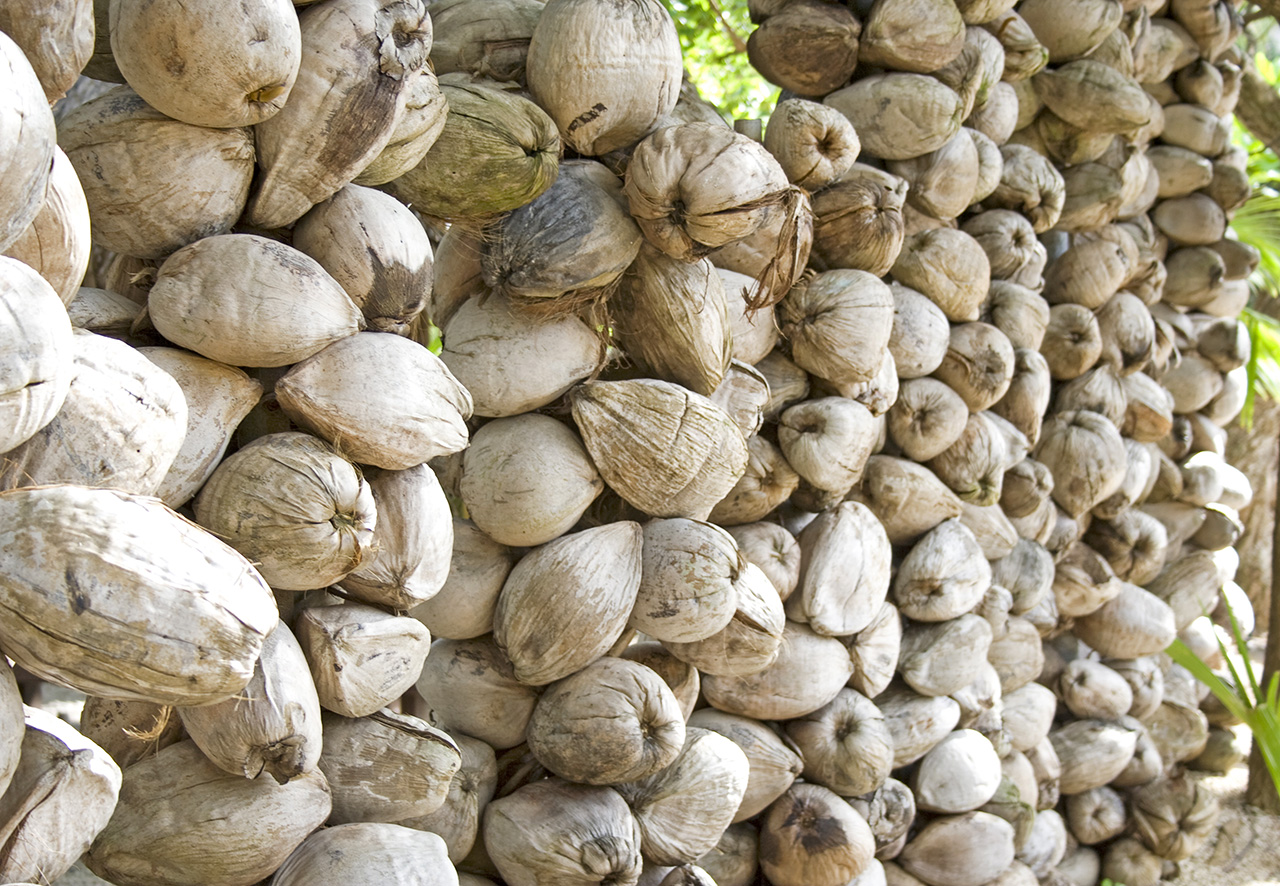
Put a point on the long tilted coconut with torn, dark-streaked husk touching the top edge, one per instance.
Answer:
(345, 54)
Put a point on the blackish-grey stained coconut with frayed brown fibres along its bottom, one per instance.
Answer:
(566, 246)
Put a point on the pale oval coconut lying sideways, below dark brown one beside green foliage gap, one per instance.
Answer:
(902, 116)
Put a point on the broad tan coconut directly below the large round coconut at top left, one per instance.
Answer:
(130, 158)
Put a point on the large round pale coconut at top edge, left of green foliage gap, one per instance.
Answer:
(605, 93)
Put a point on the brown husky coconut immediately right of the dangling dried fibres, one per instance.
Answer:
(858, 222)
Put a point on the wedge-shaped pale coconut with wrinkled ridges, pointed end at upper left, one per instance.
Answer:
(662, 447)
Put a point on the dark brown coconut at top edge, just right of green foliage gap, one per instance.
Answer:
(806, 47)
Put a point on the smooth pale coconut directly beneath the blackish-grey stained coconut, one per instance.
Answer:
(542, 359)
